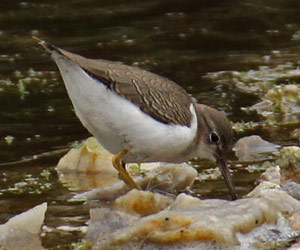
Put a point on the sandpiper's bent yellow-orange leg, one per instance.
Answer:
(123, 174)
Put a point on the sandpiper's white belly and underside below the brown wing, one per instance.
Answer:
(117, 123)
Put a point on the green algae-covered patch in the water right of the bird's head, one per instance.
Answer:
(277, 89)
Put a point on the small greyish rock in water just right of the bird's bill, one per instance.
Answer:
(254, 148)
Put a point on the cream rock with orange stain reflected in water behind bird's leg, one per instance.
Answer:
(87, 166)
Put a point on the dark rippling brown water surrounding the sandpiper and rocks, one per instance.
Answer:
(181, 40)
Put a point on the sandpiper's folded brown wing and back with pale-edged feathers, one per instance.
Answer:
(157, 96)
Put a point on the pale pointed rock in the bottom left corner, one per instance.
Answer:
(22, 231)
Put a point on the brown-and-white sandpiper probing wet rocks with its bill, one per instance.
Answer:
(142, 117)
